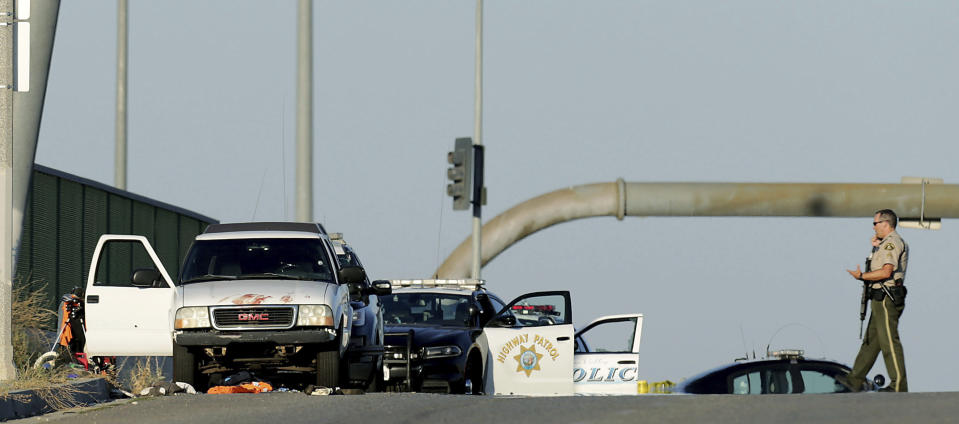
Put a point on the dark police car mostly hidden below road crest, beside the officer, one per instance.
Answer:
(781, 372)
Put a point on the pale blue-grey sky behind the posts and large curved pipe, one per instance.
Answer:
(576, 92)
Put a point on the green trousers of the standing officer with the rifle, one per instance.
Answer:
(882, 335)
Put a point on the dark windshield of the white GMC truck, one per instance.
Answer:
(233, 259)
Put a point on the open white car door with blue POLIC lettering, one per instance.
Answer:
(607, 355)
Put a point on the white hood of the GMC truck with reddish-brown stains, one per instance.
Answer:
(256, 292)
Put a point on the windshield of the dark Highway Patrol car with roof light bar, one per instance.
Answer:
(432, 309)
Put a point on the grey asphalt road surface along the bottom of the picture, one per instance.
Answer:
(291, 408)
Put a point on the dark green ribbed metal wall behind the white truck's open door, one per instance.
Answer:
(66, 215)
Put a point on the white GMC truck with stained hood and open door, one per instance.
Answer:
(268, 297)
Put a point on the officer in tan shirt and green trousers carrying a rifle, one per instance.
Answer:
(885, 276)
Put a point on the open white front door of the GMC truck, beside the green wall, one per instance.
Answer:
(124, 319)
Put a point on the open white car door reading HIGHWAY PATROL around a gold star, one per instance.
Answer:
(529, 346)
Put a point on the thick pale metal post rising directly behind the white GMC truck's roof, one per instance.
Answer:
(304, 112)
